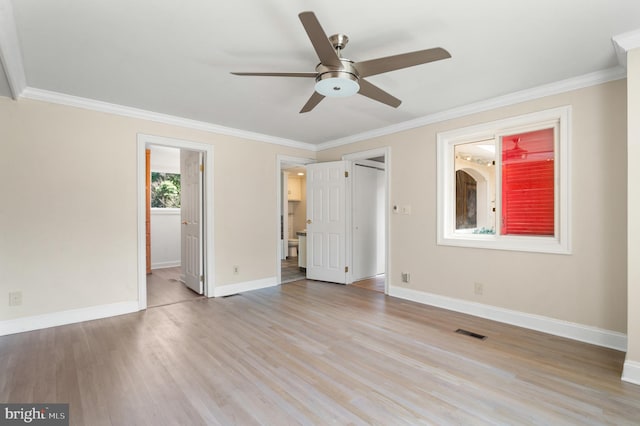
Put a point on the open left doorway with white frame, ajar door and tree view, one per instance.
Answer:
(176, 262)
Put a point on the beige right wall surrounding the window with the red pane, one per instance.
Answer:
(586, 287)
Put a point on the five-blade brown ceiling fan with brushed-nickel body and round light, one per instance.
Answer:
(340, 77)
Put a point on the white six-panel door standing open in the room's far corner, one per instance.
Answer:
(327, 221)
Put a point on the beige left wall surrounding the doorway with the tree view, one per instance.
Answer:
(68, 236)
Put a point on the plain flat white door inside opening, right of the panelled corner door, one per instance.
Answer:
(368, 222)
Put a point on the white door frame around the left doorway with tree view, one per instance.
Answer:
(143, 141)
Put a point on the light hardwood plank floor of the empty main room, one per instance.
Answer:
(313, 353)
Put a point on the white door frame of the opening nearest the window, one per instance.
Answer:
(364, 155)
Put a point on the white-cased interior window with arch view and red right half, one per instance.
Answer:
(521, 196)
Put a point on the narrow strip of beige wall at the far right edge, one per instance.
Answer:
(633, 112)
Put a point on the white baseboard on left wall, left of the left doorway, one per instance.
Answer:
(71, 316)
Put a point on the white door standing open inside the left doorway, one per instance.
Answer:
(191, 218)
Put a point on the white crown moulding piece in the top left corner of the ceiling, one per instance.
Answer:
(10, 55)
